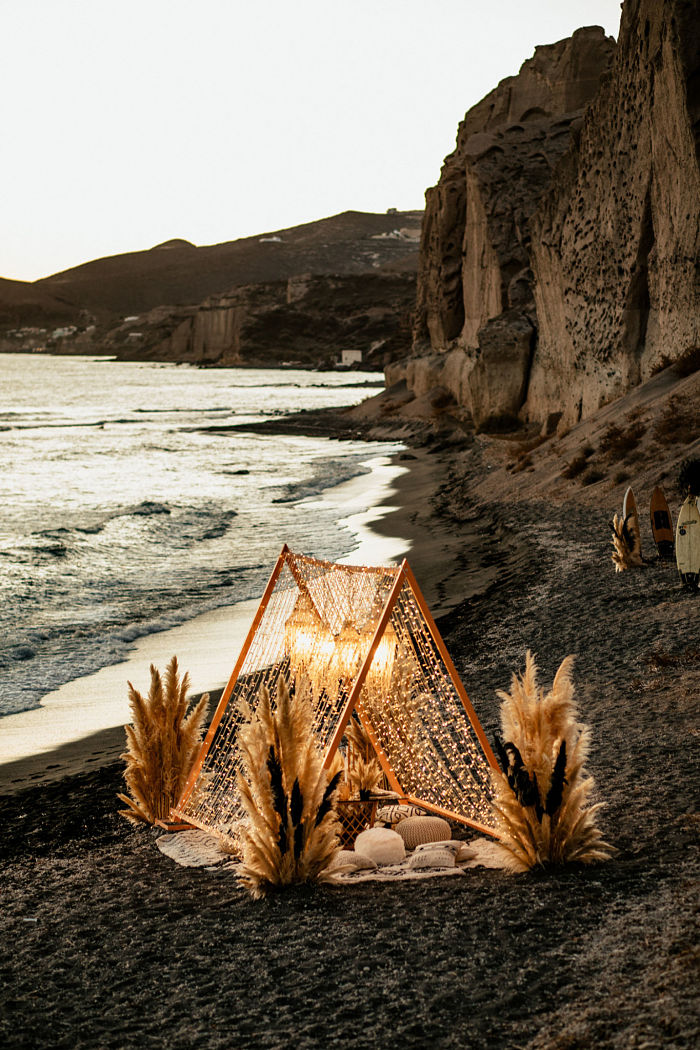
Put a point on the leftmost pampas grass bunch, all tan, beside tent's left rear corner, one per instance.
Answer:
(162, 745)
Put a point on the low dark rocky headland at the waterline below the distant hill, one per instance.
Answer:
(307, 322)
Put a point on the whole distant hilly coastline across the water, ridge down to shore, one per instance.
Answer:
(301, 296)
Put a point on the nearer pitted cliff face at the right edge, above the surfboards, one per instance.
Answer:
(617, 241)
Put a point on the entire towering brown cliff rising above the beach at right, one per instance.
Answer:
(560, 249)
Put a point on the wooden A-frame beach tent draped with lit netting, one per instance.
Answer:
(314, 617)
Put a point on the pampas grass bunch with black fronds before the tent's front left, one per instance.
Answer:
(291, 833)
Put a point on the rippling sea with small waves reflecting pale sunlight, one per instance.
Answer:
(123, 515)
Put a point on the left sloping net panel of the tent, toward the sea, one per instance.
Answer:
(317, 629)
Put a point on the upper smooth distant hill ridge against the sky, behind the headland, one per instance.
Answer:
(177, 274)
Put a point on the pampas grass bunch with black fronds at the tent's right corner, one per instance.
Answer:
(543, 795)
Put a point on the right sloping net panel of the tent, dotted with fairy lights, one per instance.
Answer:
(419, 720)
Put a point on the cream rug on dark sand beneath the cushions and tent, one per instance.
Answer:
(196, 849)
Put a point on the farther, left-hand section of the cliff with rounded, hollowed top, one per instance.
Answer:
(476, 241)
